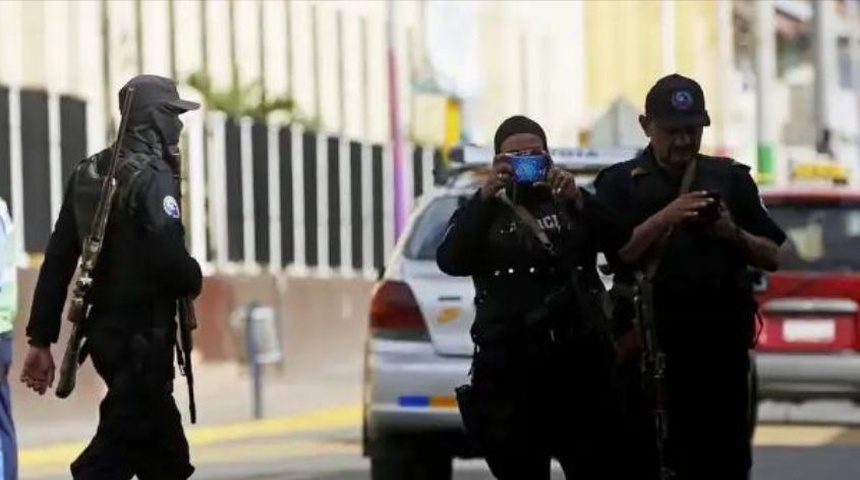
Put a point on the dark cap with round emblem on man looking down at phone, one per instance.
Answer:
(677, 101)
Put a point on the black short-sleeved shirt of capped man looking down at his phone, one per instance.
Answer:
(698, 273)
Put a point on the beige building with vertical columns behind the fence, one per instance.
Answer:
(532, 66)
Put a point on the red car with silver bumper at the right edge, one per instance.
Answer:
(809, 346)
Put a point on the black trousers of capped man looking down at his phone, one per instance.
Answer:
(708, 418)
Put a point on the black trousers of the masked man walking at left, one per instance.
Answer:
(140, 429)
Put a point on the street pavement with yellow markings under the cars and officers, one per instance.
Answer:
(826, 451)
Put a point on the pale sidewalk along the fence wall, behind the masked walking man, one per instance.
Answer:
(223, 396)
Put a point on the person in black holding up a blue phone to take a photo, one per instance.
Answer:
(542, 377)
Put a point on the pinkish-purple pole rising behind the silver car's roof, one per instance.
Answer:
(394, 121)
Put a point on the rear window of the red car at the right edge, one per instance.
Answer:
(822, 236)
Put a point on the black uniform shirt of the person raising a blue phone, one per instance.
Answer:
(512, 272)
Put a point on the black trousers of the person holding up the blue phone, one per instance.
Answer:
(538, 402)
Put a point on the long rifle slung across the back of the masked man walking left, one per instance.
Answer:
(78, 307)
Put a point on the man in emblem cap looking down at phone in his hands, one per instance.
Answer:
(699, 226)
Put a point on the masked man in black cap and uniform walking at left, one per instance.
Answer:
(143, 269)
